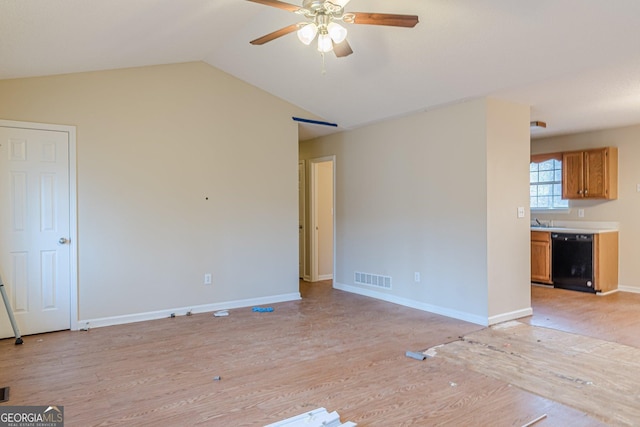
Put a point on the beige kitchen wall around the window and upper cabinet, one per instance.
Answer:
(625, 210)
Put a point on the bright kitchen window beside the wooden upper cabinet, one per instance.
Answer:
(545, 182)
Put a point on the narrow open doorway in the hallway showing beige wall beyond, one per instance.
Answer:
(322, 230)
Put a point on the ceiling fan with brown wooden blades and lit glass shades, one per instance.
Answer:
(321, 22)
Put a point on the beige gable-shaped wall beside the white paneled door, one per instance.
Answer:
(152, 144)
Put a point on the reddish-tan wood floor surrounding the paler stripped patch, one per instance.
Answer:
(333, 349)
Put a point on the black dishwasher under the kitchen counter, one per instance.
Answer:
(572, 261)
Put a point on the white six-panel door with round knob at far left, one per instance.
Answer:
(35, 229)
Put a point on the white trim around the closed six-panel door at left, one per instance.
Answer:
(73, 220)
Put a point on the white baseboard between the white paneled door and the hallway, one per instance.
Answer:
(205, 308)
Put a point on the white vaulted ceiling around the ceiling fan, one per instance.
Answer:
(576, 62)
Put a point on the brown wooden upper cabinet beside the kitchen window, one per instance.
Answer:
(590, 174)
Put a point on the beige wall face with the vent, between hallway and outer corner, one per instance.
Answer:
(411, 196)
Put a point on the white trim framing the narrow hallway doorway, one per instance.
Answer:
(313, 246)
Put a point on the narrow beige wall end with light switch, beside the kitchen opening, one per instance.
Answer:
(508, 236)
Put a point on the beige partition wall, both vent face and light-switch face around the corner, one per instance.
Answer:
(412, 196)
